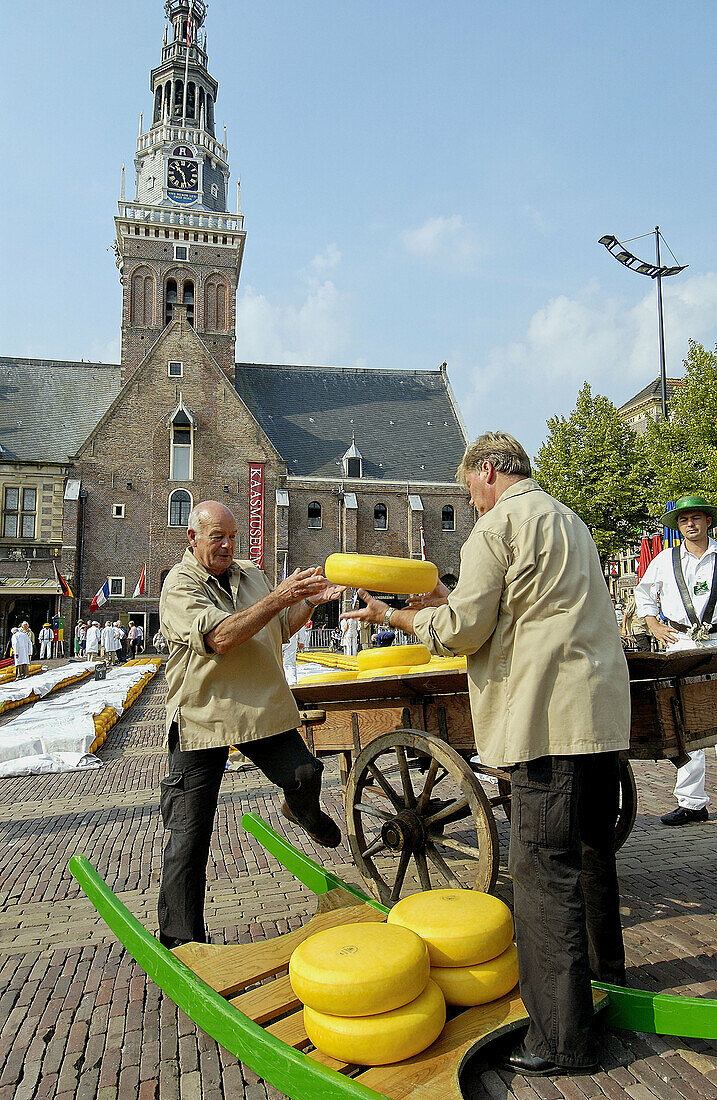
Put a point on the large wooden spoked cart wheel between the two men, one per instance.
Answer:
(418, 819)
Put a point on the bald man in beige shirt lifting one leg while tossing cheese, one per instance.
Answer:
(225, 628)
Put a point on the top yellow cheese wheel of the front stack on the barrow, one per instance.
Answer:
(360, 970)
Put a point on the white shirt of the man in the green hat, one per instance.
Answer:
(658, 590)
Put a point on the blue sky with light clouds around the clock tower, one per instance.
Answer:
(420, 184)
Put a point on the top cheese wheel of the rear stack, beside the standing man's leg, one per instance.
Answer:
(460, 928)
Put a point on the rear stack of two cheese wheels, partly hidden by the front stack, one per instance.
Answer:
(469, 937)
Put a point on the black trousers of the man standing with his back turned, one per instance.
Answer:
(567, 899)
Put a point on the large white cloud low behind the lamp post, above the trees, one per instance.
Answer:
(591, 338)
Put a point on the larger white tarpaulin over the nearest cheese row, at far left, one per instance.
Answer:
(57, 734)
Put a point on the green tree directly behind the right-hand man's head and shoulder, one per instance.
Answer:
(595, 464)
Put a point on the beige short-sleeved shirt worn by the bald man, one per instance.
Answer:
(226, 699)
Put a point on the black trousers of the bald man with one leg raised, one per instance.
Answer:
(189, 802)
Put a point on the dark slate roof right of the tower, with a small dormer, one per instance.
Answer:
(405, 423)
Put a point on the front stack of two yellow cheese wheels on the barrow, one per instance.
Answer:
(367, 993)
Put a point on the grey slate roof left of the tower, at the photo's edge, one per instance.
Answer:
(48, 409)
